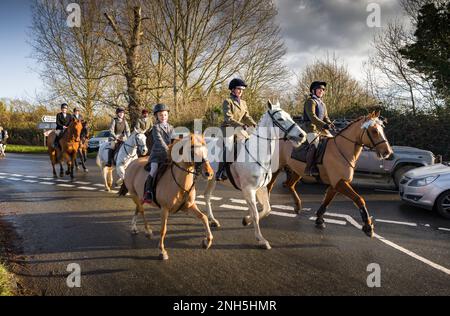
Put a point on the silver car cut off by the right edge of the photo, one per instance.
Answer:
(428, 187)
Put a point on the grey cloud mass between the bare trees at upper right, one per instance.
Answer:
(314, 28)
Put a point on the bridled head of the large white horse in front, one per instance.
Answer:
(282, 120)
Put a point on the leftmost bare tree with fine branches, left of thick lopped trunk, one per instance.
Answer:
(72, 59)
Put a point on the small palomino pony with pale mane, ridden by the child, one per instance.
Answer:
(176, 188)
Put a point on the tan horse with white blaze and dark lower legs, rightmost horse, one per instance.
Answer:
(339, 163)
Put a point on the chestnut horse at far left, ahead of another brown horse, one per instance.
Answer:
(67, 150)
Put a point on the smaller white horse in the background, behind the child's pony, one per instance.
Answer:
(137, 142)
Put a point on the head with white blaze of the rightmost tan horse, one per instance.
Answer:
(374, 136)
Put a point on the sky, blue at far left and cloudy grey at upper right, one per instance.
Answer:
(311, 30)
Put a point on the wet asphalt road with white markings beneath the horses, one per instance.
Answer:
(58, 223)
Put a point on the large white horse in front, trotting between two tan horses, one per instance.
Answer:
(252, 176)
